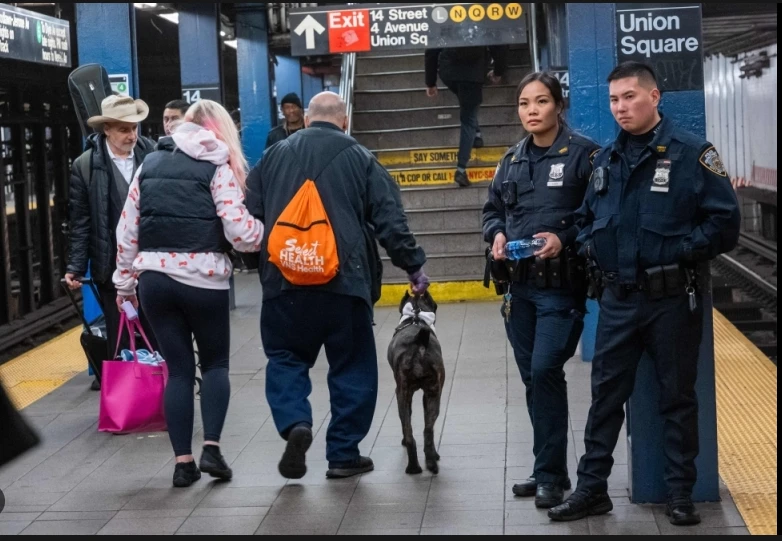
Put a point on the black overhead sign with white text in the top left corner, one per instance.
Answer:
(31, 37)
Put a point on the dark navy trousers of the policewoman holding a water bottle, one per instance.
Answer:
(544, 329)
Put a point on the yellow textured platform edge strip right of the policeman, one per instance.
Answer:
(747, 426)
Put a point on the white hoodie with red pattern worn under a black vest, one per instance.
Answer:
(203, 270)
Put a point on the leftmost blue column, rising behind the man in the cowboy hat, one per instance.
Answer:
(106, 35)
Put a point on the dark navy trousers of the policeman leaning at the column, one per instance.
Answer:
(671, 334)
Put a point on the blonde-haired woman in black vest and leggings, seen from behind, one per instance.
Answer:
(184, 213)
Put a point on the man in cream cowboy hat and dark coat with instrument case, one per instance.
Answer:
(100, 180)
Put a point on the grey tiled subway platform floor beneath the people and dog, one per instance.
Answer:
(81, 482)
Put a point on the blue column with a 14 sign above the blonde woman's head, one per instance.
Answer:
(200, 54)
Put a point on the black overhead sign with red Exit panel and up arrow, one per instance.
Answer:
(378, 27)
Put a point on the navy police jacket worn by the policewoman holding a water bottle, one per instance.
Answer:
(520, 206)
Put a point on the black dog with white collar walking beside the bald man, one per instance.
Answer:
(417, 361)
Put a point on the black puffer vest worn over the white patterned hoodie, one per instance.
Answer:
(177, 209)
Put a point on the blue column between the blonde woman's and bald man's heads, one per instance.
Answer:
(254, 87)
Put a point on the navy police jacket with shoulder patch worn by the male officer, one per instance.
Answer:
(676, 206)
